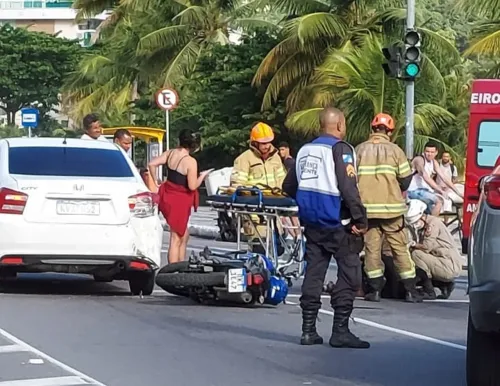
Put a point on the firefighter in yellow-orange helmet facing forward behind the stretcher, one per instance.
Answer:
(261, 164)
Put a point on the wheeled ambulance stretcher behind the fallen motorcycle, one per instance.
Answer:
(271, 214)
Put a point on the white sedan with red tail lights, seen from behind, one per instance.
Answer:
(76, 206)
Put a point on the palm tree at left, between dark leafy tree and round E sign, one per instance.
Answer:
(108, 79)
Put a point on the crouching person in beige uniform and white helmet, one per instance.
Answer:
(435, 254)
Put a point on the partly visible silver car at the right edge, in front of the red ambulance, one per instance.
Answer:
(483, 335)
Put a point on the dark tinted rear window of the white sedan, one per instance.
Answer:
(68, 161)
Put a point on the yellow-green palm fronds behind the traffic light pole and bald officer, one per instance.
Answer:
(352, 77)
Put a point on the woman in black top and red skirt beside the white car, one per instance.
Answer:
(180, 191)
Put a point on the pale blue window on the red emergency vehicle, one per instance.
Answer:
(488, 143)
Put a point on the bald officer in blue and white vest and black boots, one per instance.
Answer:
(324, 185)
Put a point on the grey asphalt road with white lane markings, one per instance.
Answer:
(58, 330)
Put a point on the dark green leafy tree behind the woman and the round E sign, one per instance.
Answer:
(219, 101)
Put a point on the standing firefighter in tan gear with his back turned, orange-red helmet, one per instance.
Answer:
(384, 173)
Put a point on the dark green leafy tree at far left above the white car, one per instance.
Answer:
(33, 66)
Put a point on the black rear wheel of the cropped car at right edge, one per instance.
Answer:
(483, 351)
